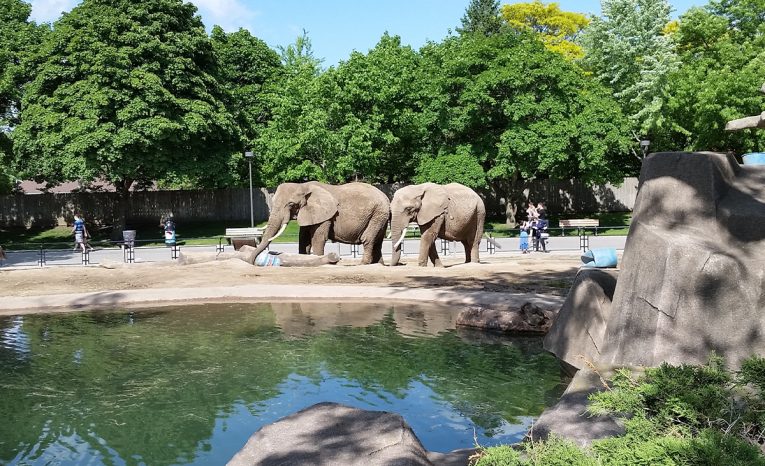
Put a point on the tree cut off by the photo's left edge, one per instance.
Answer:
(18, 39)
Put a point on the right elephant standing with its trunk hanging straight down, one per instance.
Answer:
(453, 212)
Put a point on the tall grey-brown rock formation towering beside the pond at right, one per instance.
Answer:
(694, 264)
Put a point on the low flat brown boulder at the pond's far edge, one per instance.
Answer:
(530, 318)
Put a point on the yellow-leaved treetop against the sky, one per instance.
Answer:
(557, 29)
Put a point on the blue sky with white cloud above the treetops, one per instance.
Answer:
(337, 27)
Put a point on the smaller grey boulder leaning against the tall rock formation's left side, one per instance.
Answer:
(577, 333)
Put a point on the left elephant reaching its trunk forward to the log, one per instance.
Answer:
(352, 213)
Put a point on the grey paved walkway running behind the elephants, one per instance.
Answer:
(509, 246)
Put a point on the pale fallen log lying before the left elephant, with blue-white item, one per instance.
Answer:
(264, 259)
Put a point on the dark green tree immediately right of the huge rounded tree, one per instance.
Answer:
(246, 65)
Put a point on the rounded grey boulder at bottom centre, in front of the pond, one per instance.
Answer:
(334, 434)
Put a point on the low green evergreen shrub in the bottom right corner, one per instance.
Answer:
(673, 415)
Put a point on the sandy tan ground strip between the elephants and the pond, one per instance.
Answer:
(536, 273)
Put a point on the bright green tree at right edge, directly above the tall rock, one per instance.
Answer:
(723, 58)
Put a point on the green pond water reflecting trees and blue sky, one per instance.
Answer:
(190, 385)
